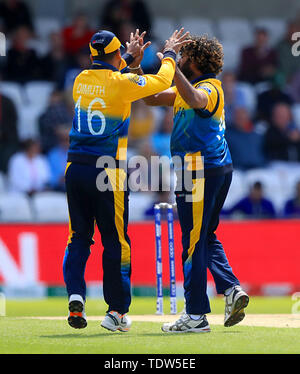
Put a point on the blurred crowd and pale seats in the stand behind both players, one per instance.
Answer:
(261, 82)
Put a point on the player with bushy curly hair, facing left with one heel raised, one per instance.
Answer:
(198, 140)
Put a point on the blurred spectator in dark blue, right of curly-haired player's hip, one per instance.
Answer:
(255, 205)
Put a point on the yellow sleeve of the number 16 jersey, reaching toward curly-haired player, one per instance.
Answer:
(134, 87)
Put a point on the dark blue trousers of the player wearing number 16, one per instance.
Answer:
(88, 206)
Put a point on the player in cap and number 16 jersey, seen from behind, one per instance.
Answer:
(103, 97)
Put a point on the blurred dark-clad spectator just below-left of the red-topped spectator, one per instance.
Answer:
(55, 63)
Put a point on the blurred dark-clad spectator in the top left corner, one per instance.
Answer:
(13, 14)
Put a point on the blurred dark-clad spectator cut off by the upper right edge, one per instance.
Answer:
(288, 64)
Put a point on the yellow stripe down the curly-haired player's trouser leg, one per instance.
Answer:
(198, 203)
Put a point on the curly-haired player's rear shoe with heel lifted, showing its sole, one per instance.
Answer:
(235, 303)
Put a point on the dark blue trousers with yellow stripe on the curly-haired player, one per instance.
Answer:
(199, 218)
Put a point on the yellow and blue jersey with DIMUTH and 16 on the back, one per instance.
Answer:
(103, 97)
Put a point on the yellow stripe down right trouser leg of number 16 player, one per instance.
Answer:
(117, 179)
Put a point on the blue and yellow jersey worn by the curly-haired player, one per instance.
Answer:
(201, 131)
